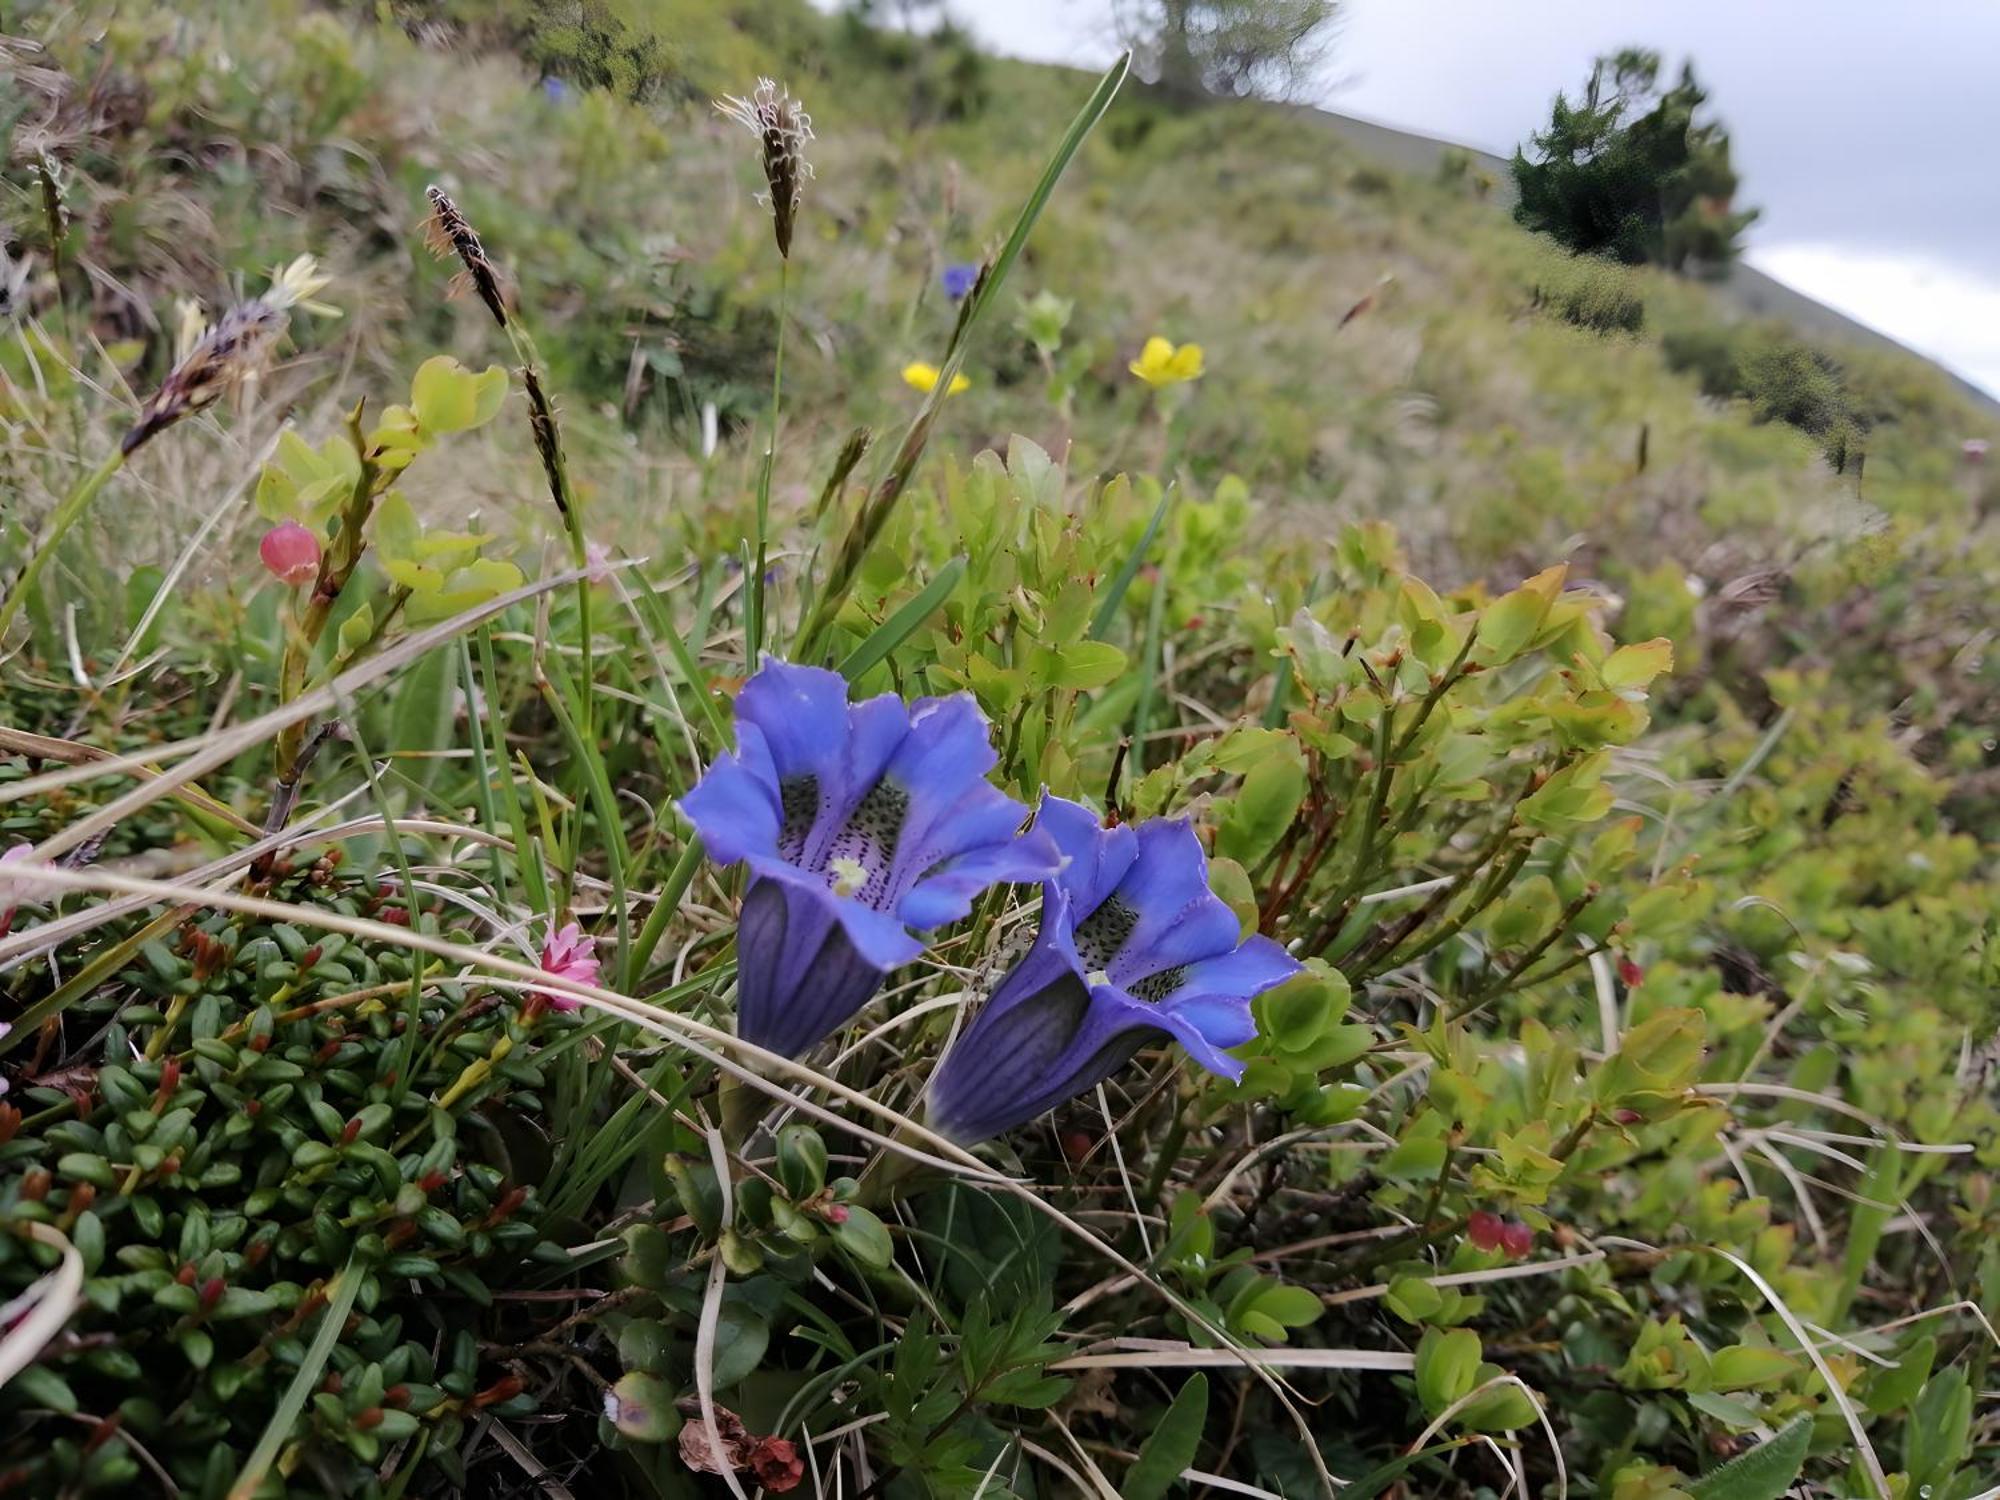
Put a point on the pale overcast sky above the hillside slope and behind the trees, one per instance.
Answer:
(1867, 131)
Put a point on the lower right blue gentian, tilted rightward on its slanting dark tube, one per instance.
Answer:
(1135, 949)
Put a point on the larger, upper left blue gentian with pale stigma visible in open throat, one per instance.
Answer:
(861, 825)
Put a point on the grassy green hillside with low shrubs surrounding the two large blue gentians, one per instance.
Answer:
(1591, 693)
